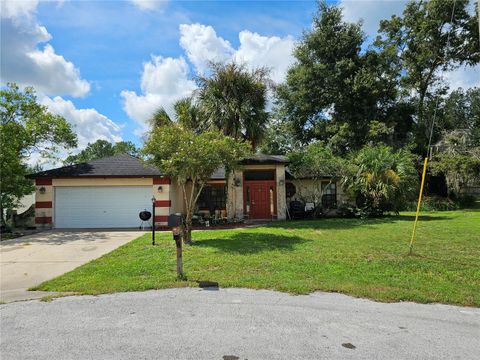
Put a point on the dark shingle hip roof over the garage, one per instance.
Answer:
(114, 166)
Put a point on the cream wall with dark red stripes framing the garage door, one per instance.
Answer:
(44, 202)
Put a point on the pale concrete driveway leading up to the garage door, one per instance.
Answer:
(30, 260)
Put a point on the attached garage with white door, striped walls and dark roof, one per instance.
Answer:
(104, 193)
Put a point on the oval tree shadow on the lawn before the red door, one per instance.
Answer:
(250, 243)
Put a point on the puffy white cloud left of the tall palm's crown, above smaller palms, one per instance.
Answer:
(164, 80)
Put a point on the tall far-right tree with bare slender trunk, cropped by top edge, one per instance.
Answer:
(427, 41)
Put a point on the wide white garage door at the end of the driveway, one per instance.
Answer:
(100, 207)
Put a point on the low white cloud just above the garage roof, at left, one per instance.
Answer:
(88, 124)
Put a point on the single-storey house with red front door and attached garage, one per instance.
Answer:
(110, 193)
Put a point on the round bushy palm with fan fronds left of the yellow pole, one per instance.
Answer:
(381, 179)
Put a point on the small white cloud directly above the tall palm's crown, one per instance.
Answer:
(202, 45)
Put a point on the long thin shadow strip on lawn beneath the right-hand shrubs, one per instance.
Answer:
(346, 223)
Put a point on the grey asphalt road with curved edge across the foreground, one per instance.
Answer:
(235, 324)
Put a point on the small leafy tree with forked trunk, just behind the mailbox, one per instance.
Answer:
(191, 159)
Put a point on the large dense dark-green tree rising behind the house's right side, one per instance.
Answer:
(335, 89)
